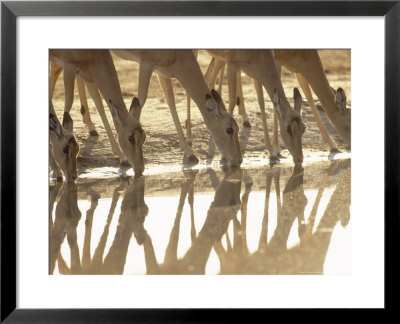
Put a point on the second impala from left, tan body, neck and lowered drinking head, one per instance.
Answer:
(96, 68)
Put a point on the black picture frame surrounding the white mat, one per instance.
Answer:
(10, 10)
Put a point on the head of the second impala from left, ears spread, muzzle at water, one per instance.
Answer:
(131, 135)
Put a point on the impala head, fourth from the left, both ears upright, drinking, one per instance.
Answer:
(292, 126)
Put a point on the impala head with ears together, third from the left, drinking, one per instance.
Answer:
(224, 130)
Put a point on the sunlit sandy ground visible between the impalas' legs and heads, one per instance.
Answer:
(162, 146)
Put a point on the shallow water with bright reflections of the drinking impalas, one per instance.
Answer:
(203, 220)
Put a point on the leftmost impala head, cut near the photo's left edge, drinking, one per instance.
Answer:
(64, 146)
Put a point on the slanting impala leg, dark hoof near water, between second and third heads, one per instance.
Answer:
(166, 86)
